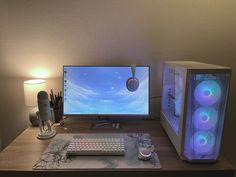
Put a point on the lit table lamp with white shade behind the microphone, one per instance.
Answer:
(31, 89)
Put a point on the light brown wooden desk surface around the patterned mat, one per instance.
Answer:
(19, 157)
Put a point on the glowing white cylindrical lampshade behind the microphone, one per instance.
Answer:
(31, 89)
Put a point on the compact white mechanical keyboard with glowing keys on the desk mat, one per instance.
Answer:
(96, 146)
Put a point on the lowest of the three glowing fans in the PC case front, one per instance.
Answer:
(203, 143)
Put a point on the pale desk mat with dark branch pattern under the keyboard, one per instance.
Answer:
(55, 158)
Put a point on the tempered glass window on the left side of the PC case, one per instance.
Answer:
(172, 96)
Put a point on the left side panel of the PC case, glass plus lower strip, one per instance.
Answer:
(173, 92)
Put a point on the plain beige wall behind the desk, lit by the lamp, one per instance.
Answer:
(45, 35)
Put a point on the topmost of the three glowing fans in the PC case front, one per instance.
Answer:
(207, 92)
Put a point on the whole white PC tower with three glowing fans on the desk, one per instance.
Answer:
(194, 99)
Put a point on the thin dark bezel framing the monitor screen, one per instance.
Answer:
(113, 116)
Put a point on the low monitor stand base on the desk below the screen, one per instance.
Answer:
(106, 124)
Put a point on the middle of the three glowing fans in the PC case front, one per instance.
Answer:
(205, 118)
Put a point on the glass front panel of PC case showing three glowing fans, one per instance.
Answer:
(206, 105)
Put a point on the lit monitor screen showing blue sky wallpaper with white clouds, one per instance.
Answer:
(103, 90)
